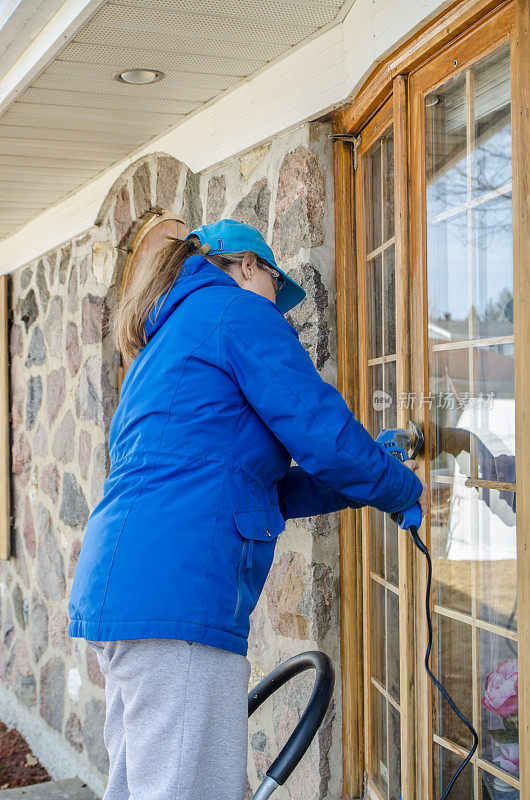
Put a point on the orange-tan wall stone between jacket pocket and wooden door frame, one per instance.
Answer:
(287, 582)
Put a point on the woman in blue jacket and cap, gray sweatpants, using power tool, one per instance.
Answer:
(218, 398)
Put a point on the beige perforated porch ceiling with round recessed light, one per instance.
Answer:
(68, 119)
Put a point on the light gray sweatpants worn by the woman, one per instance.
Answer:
(176, 722)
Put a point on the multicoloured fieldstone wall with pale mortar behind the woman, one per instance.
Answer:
(64, 378)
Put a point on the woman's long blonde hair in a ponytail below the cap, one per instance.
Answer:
(158, 274)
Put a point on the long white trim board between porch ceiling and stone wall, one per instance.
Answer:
(311, 80)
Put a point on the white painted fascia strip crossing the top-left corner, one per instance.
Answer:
(61, 28)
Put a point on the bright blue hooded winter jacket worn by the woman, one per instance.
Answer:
(211, 411)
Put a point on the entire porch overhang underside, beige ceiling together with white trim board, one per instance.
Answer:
(237, 75)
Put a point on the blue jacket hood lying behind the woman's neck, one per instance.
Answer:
(196, 272)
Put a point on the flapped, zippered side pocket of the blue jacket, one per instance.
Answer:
(261, 525)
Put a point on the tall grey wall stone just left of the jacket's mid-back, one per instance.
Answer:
(95, 397)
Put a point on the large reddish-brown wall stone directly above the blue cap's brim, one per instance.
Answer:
(300, 198)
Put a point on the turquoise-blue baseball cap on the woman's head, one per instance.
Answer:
(230, 236)
